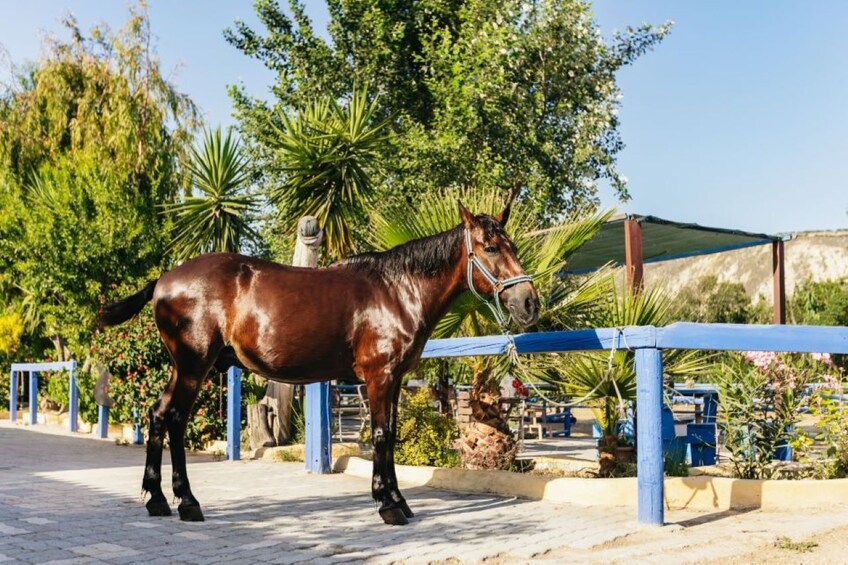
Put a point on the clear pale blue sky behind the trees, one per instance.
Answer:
(738, 119)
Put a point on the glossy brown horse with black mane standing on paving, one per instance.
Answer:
(365, 319)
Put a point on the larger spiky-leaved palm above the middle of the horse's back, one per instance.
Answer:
(328, 153)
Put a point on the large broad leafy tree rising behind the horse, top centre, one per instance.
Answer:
(503, 94)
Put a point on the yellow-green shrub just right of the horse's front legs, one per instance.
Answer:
(425, 437)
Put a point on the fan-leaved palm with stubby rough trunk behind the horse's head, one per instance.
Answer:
(487, 441)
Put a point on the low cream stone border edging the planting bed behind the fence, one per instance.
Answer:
(690, 493)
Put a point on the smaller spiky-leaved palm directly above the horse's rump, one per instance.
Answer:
(218, 218)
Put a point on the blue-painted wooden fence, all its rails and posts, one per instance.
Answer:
(647, 342)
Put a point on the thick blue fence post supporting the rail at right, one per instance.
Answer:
(649, 464)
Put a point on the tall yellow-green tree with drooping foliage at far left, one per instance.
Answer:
(91, 140)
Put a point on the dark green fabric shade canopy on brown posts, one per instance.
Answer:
(662, 240)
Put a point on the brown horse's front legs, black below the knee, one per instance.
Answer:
(380, 398)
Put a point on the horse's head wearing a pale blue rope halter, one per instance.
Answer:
(493, 269)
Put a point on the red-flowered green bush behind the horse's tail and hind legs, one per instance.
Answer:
(140, 367)
